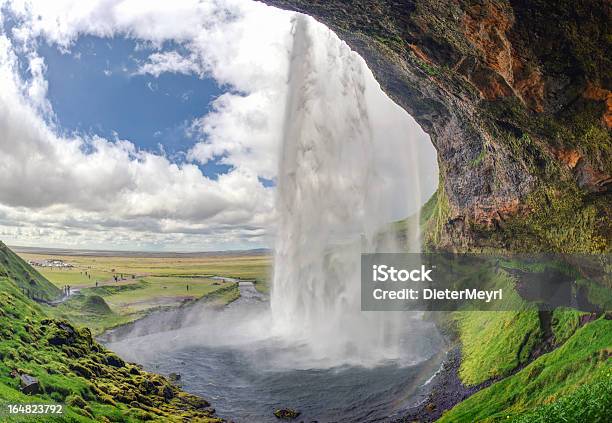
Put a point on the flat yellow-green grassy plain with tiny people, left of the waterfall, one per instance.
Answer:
(145, 283)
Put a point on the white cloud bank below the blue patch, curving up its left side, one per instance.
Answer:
(53, 186)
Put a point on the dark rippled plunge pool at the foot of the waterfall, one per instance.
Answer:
(244, 384)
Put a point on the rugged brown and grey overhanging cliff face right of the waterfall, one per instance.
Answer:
(516, 98)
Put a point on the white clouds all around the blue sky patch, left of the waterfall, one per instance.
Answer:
(91, 185)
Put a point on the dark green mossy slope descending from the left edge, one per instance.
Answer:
(72, 368)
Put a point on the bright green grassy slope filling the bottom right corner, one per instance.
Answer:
(553, 379)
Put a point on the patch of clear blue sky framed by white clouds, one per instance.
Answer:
(94, 88)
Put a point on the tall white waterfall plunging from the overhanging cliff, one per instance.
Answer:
(331, 206)
